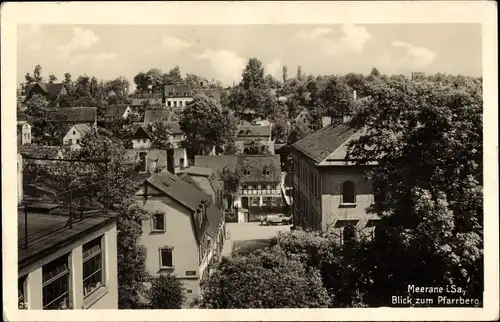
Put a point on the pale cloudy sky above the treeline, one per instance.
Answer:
(221, 51)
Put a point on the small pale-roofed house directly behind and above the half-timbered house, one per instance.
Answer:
(246, 134)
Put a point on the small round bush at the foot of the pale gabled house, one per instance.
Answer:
(166, 292)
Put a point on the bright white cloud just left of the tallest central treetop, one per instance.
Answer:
(226, 64)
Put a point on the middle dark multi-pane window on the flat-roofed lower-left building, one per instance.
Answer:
(56, 284)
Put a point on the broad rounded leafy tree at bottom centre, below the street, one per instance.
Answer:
(264, 279)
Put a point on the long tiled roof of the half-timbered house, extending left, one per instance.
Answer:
(255, 164)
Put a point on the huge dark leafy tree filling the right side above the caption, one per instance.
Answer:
(427, 139)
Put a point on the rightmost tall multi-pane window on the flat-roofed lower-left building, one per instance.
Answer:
(92, 266)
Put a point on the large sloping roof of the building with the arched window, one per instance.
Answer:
(322, 143)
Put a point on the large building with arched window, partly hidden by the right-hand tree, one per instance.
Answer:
(329, 191)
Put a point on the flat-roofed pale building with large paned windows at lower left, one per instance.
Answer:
(66, 267)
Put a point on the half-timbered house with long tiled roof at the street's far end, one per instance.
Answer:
(259, 188)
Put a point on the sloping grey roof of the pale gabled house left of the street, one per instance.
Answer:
(178, 189)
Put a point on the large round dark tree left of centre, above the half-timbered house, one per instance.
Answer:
(206, 126)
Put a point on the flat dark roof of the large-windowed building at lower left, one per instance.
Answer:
(47, 230)
